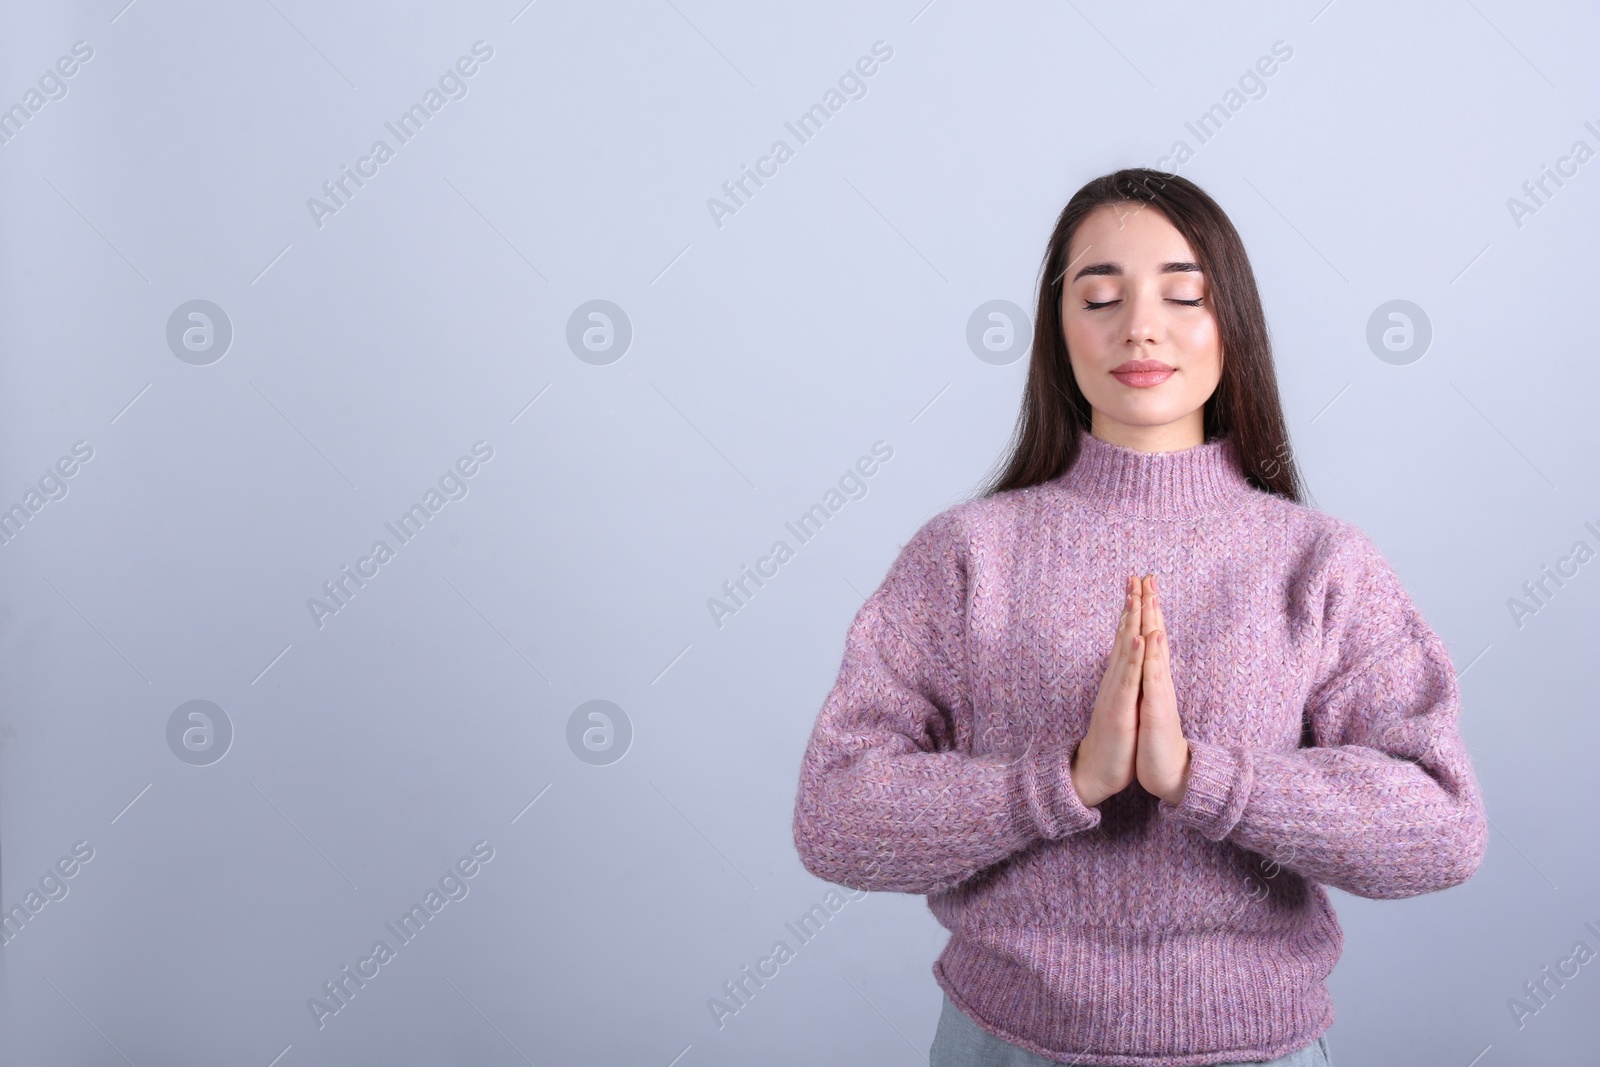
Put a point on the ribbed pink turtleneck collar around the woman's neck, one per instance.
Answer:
(1158, 486)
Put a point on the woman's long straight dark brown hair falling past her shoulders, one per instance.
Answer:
(1246, 404)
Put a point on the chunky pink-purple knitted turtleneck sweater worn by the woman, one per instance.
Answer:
(1321, 713)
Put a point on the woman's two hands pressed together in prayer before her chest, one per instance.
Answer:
(1134, 729)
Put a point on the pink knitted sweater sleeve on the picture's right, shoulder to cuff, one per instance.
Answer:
(1385, 802)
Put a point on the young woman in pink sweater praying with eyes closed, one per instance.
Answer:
(1124, 796)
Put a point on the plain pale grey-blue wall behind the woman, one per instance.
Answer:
(769, 354)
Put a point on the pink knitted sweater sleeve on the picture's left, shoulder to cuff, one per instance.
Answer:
(890, 794)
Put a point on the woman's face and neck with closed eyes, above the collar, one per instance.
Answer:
(1143, 342)
